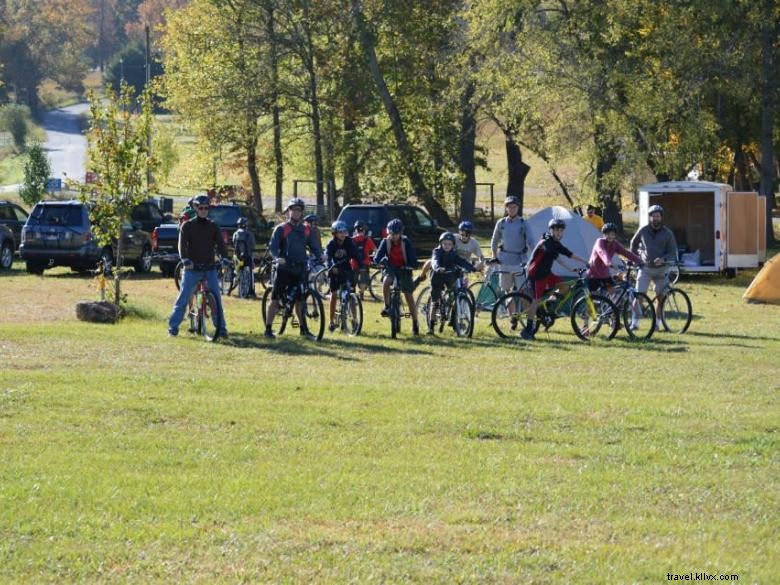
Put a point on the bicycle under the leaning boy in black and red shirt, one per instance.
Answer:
(591, 315)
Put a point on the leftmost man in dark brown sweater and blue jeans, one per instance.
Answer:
(198, 239)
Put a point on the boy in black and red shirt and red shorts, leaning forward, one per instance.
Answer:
(540, 273)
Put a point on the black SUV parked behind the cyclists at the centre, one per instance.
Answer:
(418, 225)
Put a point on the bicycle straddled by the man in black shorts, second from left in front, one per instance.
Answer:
(310, 317)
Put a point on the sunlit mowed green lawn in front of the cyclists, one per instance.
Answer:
(128, 456)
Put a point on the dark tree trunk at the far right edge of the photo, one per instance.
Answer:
(767, 187)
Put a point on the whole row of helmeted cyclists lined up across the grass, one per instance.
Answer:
(348, 259)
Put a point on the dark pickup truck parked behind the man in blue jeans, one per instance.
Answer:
(165, 238)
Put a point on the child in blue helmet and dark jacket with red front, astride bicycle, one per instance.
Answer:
(396, 255)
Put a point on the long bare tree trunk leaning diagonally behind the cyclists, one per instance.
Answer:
(405, 150)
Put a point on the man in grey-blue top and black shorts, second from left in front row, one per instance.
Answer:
(289, 243)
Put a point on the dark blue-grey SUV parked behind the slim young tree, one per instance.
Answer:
(58, 233)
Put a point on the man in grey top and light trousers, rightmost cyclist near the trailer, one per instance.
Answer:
(656, 245)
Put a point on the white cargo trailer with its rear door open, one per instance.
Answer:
(716, 228)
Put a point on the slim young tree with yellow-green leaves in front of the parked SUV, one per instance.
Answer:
(119, 158)
